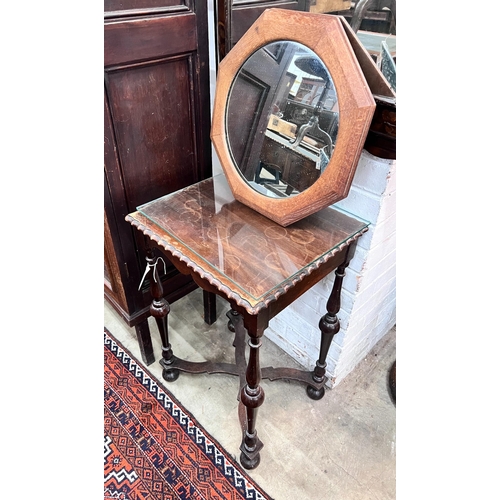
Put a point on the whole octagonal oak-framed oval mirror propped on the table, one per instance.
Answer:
(292, 110)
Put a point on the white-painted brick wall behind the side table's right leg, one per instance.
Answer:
(368, 299)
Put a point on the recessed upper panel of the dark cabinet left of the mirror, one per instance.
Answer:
(152, 109)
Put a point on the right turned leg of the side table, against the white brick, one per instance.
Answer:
(329, 325)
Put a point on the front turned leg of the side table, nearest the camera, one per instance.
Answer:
(252, 396)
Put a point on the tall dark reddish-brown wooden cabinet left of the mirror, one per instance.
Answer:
(156, 136)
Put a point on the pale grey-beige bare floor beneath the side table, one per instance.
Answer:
(340, 447)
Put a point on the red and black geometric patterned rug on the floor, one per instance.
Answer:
(153, 447)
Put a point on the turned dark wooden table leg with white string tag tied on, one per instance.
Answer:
(159, 309)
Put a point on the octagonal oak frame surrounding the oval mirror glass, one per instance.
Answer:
(325, 36)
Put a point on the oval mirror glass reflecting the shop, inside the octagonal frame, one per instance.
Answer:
(282, 119)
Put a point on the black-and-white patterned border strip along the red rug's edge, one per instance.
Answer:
(214, 451)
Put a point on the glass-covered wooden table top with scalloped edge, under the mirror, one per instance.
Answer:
(245, 255)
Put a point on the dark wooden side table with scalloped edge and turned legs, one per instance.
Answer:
(259, 267)
